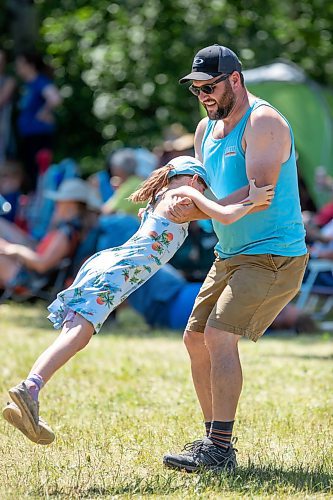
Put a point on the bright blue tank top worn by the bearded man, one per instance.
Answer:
(279, 230)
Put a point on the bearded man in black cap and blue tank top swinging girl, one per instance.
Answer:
(260, 260)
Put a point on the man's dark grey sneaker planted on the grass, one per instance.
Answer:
(205, 456)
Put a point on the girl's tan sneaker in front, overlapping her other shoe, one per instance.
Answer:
(28, 407)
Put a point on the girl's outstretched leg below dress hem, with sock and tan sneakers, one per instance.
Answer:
(75, 335)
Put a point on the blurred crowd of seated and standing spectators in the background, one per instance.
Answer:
(52, 220)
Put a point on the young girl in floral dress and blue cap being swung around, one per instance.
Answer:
(108, 277)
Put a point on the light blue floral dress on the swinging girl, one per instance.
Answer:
(107, 278)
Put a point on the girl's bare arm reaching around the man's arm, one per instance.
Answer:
(230, 213)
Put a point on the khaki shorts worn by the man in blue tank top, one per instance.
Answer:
(244, 294)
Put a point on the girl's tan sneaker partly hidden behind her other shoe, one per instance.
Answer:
(12, 414)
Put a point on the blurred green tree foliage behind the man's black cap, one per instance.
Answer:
(118, 62)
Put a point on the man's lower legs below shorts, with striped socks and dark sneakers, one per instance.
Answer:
(217, 378)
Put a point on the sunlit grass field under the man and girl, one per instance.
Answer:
(128, 398)
